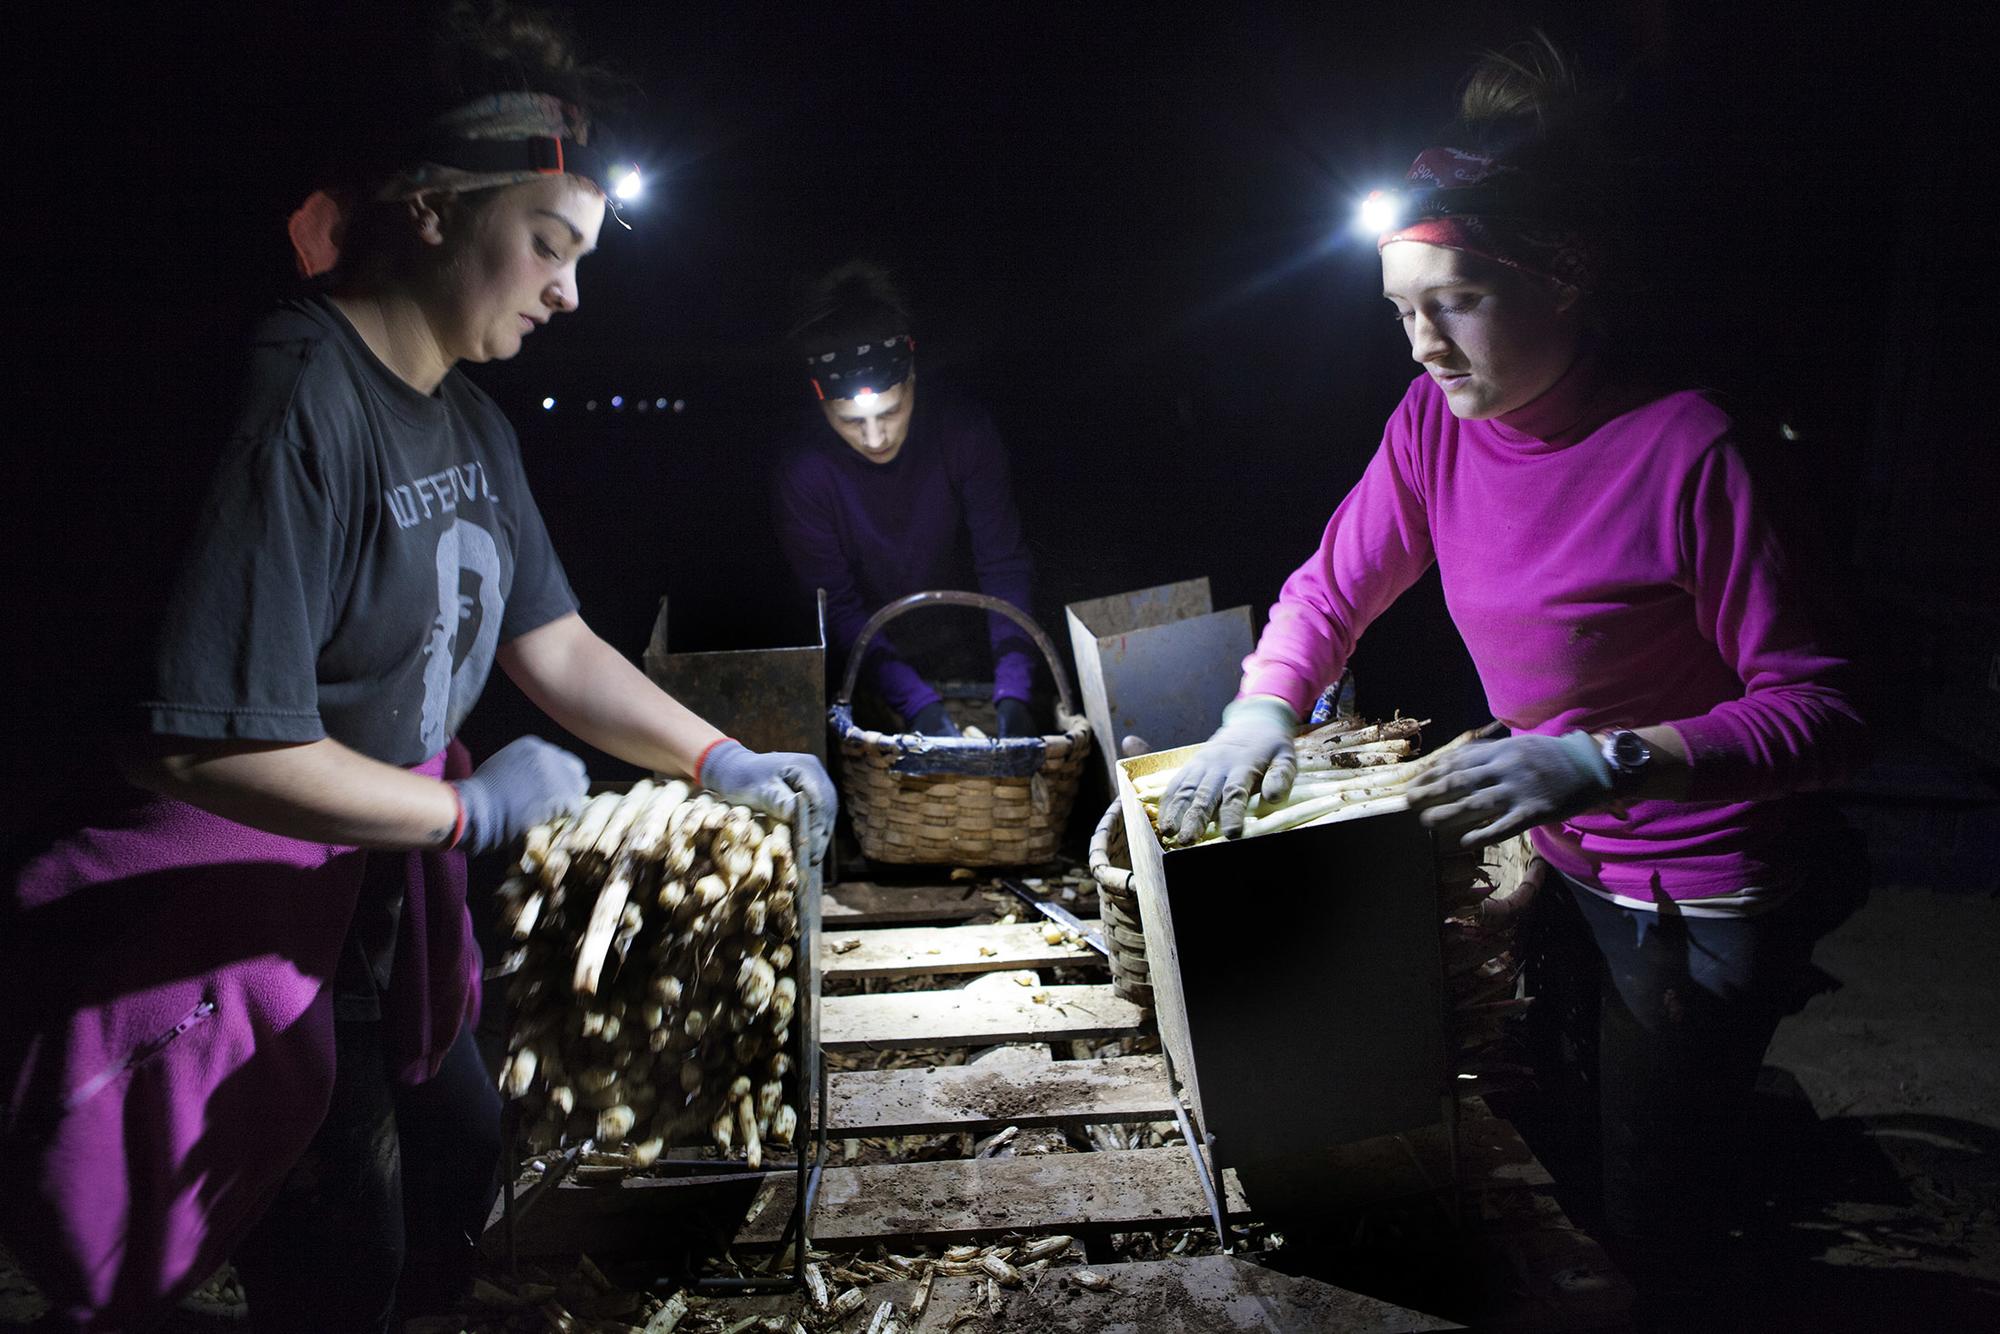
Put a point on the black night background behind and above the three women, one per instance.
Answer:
(1123, 227)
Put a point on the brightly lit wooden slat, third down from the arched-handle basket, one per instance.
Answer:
(975, 1017)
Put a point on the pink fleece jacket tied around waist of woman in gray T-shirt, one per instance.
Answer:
(169, 1045)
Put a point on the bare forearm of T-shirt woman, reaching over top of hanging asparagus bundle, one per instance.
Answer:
(595, 693)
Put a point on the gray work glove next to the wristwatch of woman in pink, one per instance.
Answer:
(1493, 791)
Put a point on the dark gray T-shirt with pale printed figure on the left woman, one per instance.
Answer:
(363, 553)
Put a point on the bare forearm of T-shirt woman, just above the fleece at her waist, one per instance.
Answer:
(315, 791)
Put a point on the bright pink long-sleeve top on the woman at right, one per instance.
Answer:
(1609, 565)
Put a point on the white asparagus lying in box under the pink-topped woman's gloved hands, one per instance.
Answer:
(1347, 769)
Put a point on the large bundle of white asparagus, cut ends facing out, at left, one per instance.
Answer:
(651, 985)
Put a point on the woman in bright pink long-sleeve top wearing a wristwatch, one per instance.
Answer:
(1637, 627)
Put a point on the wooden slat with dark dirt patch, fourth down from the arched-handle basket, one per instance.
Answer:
(981, 1099)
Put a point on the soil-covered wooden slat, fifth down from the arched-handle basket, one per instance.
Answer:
(969, 1199)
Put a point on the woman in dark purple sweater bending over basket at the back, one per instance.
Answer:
(877, 497)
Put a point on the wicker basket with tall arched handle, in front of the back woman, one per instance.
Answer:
(945, 799)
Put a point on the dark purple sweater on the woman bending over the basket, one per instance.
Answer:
(875, 533)
